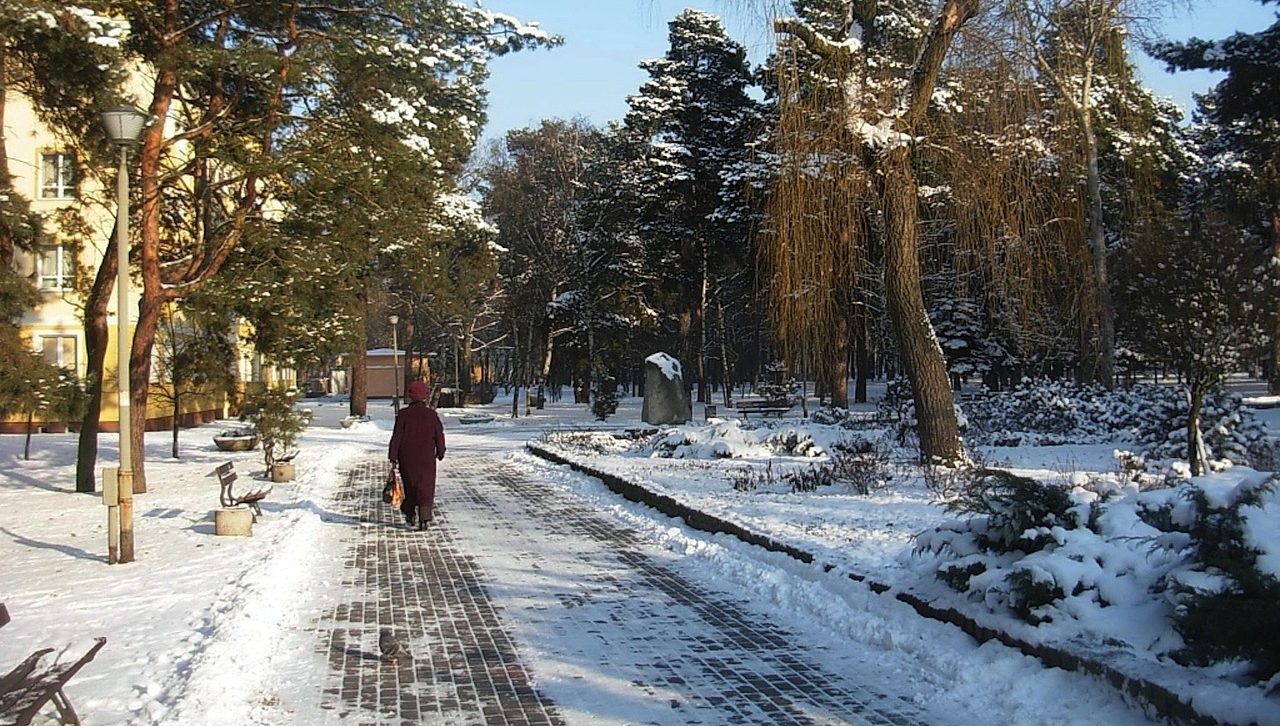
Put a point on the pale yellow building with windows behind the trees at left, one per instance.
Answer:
(49, 172)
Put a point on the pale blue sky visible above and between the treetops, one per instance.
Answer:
(605, 40)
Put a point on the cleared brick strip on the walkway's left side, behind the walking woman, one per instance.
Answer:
(461, 665)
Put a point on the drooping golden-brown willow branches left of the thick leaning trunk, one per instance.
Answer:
(819, 195)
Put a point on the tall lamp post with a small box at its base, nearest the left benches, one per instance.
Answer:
(124, 126)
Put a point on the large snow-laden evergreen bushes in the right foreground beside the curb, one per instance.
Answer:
(1199, 564)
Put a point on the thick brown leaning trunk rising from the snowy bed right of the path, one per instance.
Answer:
(922, 357)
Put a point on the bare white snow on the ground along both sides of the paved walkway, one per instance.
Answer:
(196, 619)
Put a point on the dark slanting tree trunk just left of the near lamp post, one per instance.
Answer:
(97, 341)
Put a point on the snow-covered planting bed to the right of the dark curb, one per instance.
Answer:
(1118, 582)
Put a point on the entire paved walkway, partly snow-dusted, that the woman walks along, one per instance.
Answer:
(609, 623)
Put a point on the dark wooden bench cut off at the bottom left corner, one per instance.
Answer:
(38, 681)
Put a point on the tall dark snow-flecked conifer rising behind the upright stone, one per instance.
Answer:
(698, 122)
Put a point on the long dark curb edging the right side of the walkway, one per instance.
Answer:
(1154, 698)
